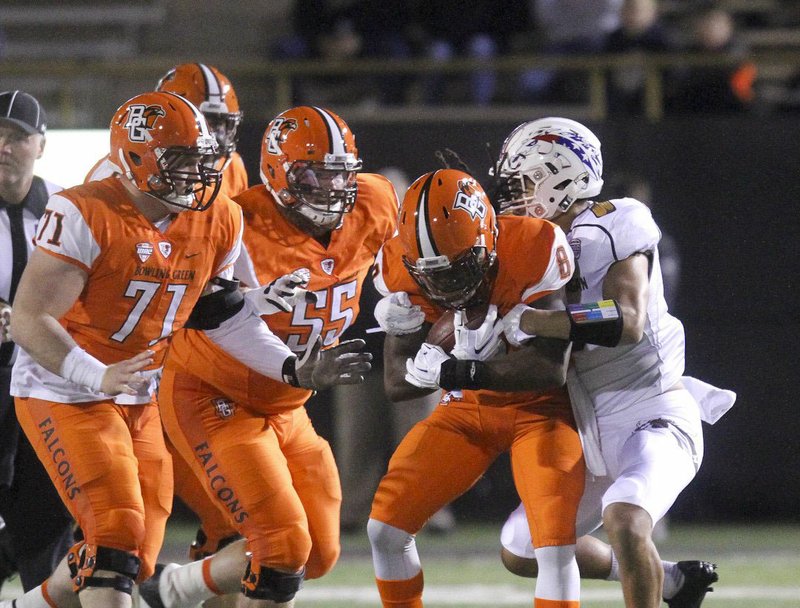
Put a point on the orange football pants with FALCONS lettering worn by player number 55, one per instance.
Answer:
(273, 475)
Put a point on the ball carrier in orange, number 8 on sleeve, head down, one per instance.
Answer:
(452, 253)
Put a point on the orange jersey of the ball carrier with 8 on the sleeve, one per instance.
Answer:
(534, 259)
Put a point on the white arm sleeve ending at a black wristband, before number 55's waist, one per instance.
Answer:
(246, 338)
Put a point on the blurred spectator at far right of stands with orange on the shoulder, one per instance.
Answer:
(725, 88)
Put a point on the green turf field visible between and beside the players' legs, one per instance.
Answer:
(759, 566)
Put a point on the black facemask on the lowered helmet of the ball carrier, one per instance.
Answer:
(466, 281)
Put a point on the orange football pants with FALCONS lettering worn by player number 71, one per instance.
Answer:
(111, 468)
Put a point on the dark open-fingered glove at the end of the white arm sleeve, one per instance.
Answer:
(345, 363)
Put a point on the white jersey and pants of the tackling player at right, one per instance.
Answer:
(643, 443)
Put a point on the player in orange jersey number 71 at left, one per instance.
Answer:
(120, 265)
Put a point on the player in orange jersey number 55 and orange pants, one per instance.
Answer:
(248, 438)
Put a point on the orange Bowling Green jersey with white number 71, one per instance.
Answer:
(142, 283)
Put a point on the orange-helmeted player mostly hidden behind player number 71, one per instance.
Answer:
(213, 94)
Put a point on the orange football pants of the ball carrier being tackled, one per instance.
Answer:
(445, 454)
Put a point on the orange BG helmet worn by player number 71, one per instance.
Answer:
(161, 143)
